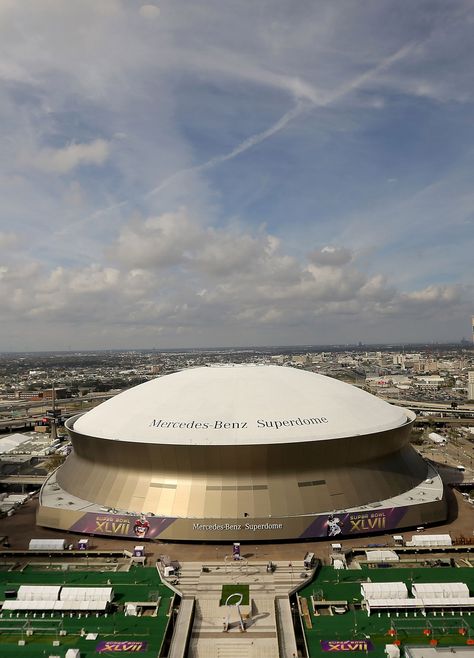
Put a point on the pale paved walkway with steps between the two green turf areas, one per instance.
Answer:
(267, 612)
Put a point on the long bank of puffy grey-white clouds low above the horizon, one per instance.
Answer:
(175, 275)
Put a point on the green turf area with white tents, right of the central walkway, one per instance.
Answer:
(355, 624)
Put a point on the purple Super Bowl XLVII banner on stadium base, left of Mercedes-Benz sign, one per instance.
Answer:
(121, 525)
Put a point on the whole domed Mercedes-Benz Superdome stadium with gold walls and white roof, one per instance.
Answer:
(242, 452)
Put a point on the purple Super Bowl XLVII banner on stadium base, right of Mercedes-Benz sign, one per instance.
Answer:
(342, 524)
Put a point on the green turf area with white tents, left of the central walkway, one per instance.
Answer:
(139, 584)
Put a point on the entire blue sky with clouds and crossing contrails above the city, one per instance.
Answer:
(217, 173)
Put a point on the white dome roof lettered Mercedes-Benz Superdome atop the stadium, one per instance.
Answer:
(240, 404)
